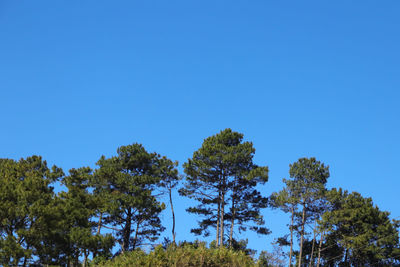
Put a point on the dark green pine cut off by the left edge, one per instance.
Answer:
(27, 211)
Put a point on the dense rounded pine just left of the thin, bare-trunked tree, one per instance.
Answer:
(125, 183)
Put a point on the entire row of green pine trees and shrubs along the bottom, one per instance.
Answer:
(114, 209)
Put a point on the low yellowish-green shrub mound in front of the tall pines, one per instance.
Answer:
(196, 255)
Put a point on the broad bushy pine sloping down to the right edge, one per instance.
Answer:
(358, 233)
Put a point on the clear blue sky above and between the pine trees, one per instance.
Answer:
(298, 78)
